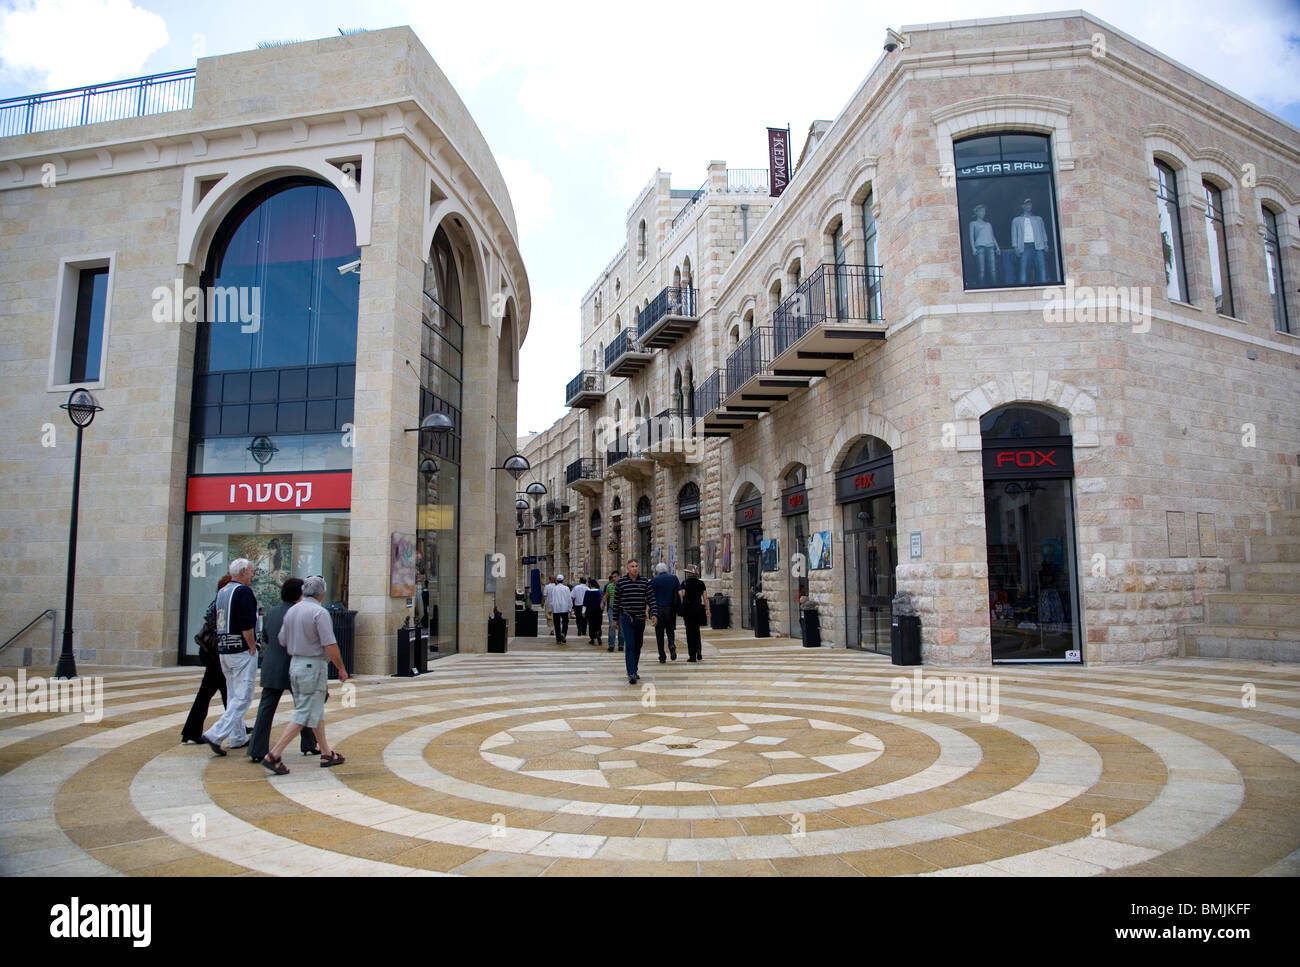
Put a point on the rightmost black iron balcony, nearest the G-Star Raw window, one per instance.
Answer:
(831, 314)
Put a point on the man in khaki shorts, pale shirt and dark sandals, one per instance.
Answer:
(309, 638)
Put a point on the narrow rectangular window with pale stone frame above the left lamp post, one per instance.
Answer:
(83, 305)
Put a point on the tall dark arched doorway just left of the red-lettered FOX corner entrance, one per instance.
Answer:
(864, 488)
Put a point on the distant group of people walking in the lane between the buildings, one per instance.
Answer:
(631, 601)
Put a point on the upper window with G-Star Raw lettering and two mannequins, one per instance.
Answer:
(1007, 201)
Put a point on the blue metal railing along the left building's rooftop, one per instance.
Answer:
(88, 106)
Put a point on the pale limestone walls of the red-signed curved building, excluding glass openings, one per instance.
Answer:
(370, 114)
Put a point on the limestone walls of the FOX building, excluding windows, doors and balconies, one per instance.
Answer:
(1185, 423)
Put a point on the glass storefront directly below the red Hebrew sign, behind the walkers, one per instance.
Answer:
(279, 545)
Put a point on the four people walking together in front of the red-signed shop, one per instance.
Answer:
(298, 647)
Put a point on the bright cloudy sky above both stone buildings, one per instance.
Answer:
(582, 102)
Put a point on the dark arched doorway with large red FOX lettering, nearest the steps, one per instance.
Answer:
(1030, 536)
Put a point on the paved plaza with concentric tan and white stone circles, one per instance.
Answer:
(765, 760)
